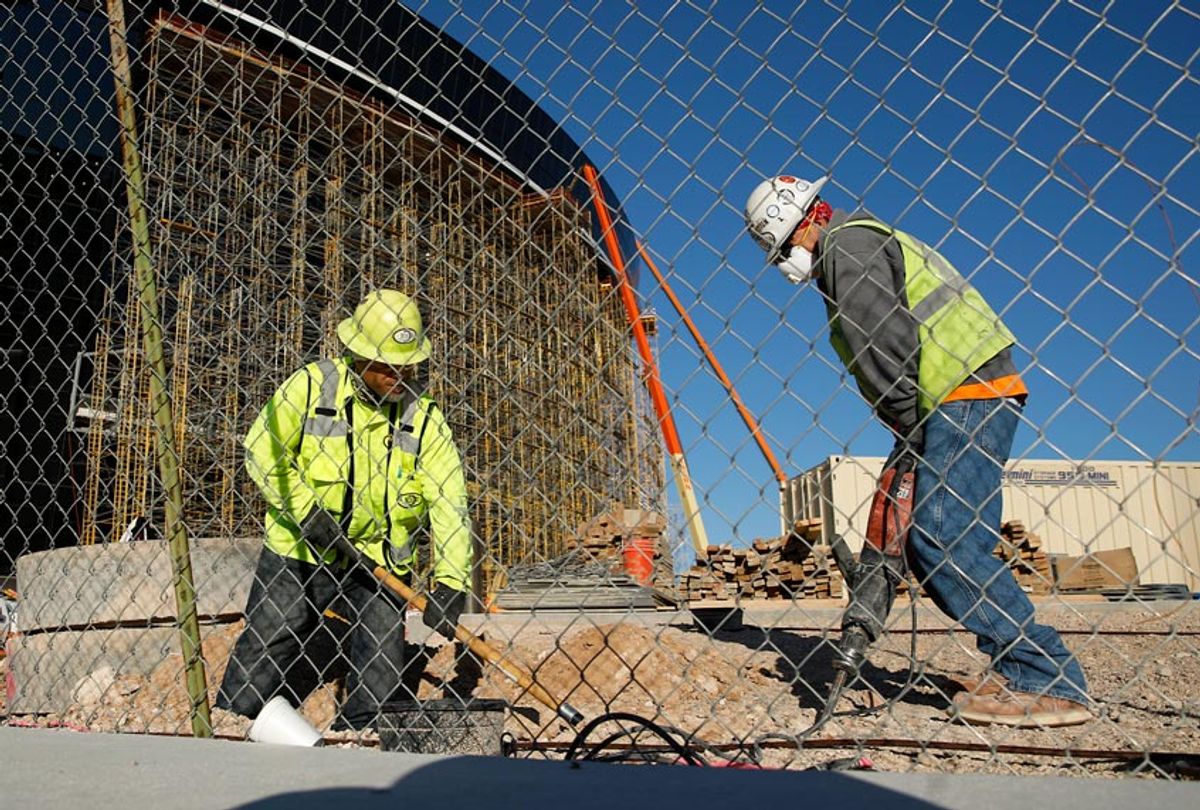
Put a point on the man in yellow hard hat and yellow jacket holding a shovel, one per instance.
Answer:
(352, 447)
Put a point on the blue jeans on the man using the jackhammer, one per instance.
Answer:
(956, 530)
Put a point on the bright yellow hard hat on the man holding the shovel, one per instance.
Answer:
(386, 327)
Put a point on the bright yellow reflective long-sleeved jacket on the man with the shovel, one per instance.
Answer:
(381, 471)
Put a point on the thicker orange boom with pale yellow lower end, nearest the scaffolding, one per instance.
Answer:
(650, 371)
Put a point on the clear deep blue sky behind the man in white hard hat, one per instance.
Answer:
(1053, 158)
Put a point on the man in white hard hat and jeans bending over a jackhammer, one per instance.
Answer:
(935, 363)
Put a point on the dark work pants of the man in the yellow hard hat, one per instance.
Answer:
(287, 601)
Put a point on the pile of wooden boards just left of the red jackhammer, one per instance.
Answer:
(778, 568)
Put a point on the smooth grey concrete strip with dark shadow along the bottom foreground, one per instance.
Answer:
(61, 770)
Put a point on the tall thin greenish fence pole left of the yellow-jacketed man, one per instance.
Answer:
(152, 341)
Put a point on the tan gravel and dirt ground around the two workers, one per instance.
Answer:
(739, 686)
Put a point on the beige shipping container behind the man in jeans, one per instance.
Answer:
(1077, 508)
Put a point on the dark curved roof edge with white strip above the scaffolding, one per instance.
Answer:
(391, 53)
